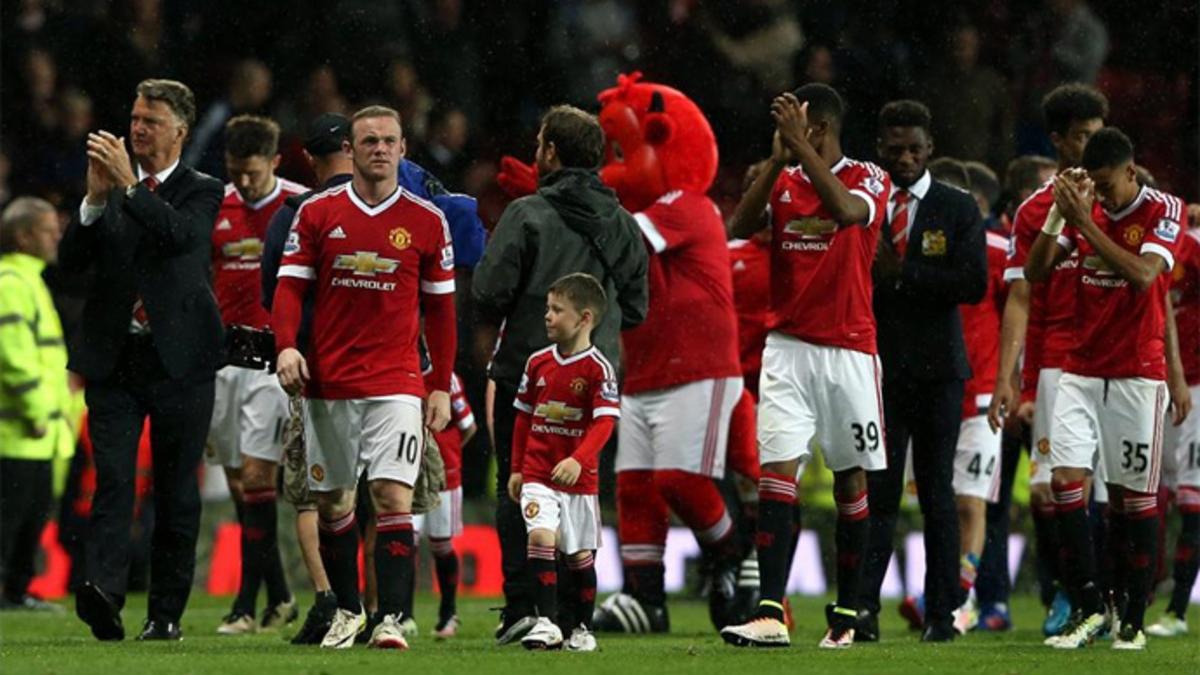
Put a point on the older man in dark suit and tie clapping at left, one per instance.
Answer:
(152, 345)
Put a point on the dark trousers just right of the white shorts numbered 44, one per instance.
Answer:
(994, 581)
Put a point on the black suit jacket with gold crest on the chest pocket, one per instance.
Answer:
(945, 266)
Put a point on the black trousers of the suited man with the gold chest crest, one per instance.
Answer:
(928, 414)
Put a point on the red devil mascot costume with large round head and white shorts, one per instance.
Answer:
(682, 371)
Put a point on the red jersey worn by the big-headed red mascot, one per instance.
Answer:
(691, 332)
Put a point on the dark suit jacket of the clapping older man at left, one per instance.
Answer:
(157, 246)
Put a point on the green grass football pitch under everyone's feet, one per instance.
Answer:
(61, 644)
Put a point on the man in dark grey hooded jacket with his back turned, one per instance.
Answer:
(572, 224)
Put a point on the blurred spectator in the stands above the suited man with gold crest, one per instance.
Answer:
(971, 106)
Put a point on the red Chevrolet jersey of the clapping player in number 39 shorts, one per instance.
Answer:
(821, 273)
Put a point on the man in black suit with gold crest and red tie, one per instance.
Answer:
(932, 259)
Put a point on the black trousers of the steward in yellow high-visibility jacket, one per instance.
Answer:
(26, 488)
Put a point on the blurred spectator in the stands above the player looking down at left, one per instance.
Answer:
(250, 89)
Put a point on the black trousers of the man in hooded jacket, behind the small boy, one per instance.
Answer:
(509, 522)
